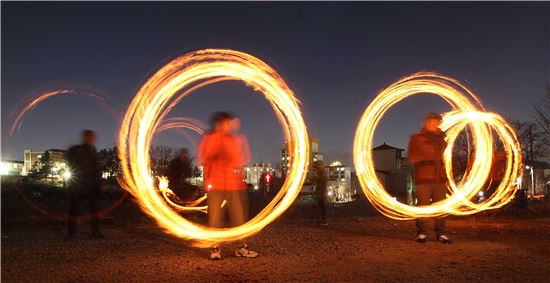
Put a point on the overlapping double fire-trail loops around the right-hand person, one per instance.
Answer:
(468, 112)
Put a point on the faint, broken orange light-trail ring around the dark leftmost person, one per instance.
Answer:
(30, 102)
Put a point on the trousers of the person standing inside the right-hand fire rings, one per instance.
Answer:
(427, 194)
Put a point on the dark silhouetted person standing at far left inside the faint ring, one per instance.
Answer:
(84, 183)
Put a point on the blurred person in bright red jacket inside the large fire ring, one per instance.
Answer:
(223, 152)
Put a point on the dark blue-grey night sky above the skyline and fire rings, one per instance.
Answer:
(335, 56)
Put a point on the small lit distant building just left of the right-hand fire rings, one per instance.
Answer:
(339, 187)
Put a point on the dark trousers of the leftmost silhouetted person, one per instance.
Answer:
(74, 202)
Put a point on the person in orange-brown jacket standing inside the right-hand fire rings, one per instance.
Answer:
(426, 153)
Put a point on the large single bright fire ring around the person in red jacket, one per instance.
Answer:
(146, 112)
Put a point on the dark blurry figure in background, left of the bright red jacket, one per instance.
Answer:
(179, 170)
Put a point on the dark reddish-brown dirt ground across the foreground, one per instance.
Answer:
(486, 248)
